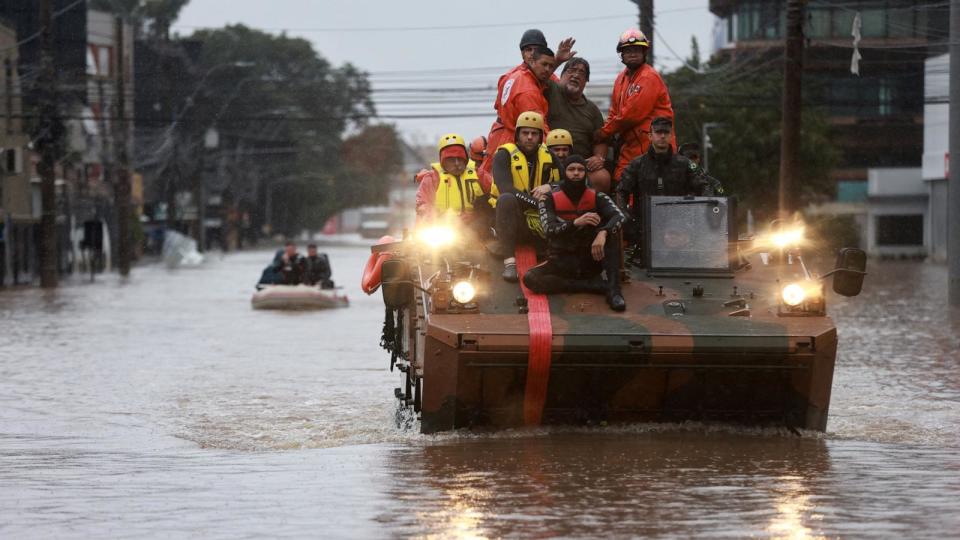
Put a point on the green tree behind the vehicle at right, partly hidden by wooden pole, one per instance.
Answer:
(742, 96)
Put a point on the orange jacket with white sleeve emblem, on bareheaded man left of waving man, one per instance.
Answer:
(518, 91)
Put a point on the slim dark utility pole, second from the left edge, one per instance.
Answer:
(121, 189)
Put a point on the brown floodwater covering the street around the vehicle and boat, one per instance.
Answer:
(165, 407)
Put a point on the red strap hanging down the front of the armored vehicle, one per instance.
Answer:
(541, 336)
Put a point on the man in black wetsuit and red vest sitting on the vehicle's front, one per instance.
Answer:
(580, 225)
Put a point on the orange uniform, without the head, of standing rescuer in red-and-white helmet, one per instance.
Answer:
(636, 100)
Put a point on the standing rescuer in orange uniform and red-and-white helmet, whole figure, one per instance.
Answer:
(639, 96)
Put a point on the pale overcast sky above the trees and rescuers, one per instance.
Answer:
(413, 49)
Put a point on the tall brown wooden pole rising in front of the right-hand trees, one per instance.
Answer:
(790, 127)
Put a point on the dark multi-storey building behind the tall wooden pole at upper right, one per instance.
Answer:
(876, 116)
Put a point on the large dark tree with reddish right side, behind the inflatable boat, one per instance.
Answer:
(282, 111)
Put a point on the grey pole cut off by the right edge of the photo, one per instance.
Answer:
(953, 183)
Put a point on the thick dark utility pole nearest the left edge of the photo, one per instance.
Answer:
(47, 141)
